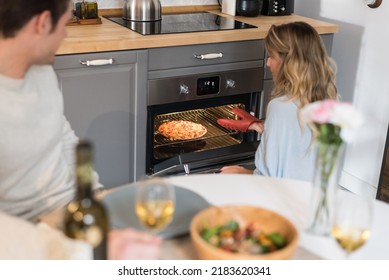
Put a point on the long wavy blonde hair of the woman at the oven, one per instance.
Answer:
(306, 72)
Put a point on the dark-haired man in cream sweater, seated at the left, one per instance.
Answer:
(36, 141)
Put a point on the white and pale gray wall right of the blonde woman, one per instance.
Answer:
(361, 52)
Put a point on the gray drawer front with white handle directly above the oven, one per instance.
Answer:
(184, 56)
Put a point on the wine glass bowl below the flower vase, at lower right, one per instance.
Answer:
(351, 221)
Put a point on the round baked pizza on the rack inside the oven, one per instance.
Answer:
(182, 130)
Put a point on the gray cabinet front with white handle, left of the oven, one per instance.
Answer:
(101, 103)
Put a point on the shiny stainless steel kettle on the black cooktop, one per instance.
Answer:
(142, 10)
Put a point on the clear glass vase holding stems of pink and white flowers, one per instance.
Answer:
(325, 183)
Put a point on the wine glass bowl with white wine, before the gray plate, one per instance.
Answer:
(155, 204)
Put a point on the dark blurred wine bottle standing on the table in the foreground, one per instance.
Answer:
(85, 217)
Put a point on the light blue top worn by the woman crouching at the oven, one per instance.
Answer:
(285, 150)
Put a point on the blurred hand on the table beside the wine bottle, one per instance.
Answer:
(130, 244)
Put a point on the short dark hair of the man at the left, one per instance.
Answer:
(14, 14)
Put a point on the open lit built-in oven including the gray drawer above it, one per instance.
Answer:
(203, 85)
